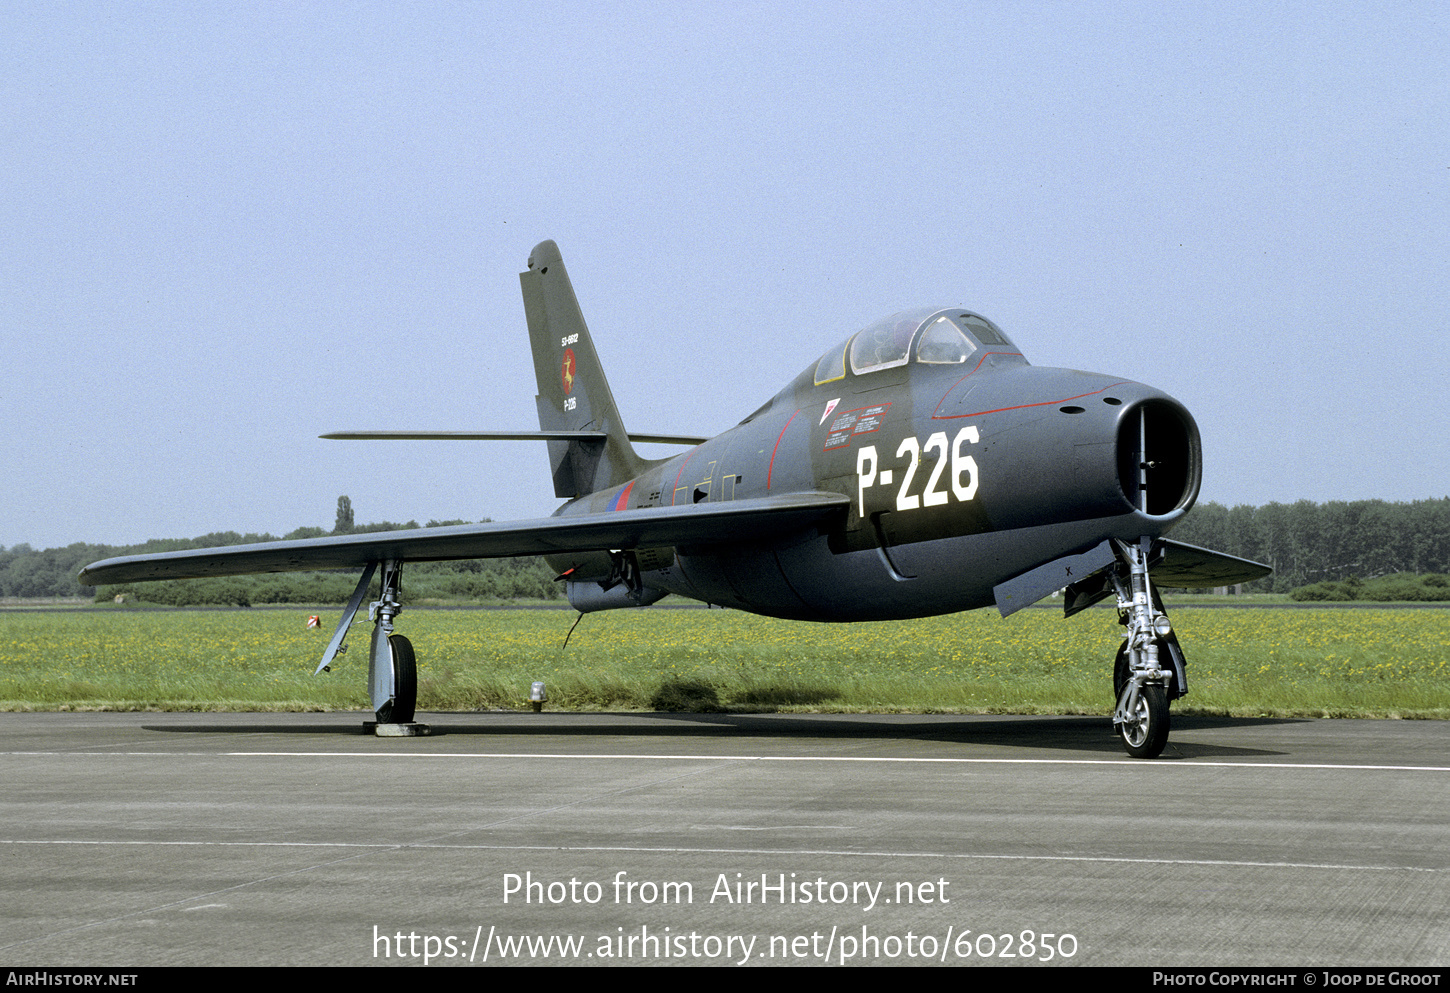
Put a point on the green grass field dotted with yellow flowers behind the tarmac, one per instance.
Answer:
(1245, 663)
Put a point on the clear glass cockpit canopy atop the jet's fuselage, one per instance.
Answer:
(942, 338)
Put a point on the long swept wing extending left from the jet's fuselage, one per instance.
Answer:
(703, 524)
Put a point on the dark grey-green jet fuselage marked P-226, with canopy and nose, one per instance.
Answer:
(965, 468)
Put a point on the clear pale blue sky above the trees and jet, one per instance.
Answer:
(231, 228)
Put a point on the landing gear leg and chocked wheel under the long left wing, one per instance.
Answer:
(392, 672)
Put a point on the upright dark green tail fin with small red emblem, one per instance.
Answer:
(573, 391)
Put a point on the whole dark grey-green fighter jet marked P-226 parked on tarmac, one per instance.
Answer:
(921, 468)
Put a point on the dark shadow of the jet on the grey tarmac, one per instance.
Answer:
(1071, 734)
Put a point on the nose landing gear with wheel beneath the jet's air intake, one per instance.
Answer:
(1151, 670)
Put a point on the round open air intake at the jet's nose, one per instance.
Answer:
(1159, 459)
